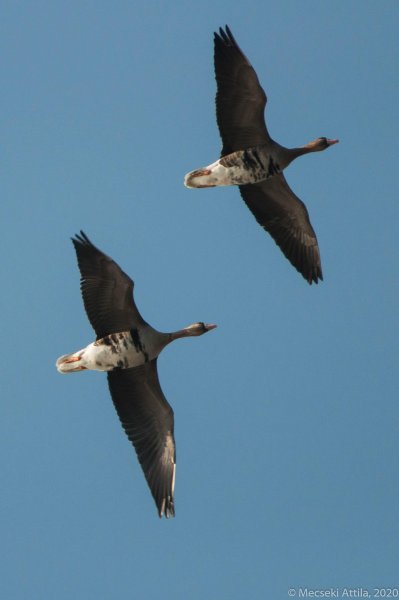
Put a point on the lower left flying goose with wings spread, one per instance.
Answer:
(127, 348)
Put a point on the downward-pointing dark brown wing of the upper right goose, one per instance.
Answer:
(285, 217)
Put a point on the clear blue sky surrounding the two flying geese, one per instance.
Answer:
(287, 415)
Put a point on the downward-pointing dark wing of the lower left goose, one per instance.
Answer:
(148, 421)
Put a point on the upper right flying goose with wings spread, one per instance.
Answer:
(251, 159)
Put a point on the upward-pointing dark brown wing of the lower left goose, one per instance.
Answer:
(107, 291)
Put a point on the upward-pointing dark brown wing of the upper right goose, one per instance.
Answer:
(240, 99)
